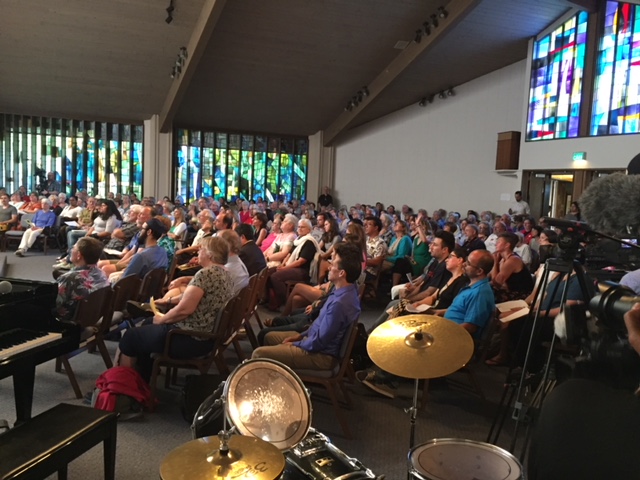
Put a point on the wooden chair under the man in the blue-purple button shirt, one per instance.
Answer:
(333, 380)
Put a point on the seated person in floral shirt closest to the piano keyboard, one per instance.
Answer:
(85, 277)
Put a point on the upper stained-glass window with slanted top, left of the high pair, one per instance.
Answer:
(556, 81)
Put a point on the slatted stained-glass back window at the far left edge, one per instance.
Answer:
(98, 157)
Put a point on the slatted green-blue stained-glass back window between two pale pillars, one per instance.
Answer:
(233, 165)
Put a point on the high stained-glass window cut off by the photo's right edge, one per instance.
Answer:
(616, 101)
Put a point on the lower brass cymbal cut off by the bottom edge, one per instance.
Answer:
(248, 457)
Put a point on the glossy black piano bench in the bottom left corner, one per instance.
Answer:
(48, 442)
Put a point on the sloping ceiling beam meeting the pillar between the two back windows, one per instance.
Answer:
(202, 31)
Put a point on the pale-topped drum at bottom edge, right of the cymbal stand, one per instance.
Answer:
(455, 459)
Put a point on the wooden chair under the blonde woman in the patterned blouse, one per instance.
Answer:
(218, 334)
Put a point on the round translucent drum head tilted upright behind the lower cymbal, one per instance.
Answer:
(265, 399)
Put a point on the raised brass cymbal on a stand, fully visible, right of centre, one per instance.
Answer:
(420, 346)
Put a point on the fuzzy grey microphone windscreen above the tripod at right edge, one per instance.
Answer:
(610, 204)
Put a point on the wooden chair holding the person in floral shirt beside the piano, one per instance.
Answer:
(91, 315)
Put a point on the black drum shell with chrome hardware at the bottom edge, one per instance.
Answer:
(317, 458)
